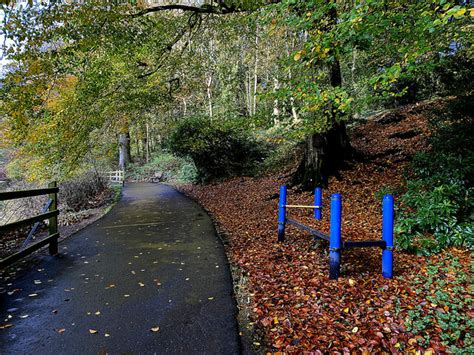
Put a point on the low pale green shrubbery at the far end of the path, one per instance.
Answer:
(169, 167)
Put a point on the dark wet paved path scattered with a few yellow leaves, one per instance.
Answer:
(153, 261)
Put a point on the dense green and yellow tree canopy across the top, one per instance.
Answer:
(88, 72)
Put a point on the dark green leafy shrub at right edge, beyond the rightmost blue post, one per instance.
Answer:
(437, 208)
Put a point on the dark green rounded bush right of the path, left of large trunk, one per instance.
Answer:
(218, 149)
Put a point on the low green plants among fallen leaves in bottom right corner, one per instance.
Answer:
(448, 297)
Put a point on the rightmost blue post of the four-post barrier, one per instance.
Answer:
(387, 236)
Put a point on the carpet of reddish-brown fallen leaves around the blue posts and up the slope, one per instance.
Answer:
(294, 306)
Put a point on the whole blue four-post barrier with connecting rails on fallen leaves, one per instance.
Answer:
(336, 244)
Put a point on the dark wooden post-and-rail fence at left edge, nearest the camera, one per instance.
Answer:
(51, 215)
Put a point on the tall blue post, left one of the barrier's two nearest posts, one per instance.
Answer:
(335, 237)
